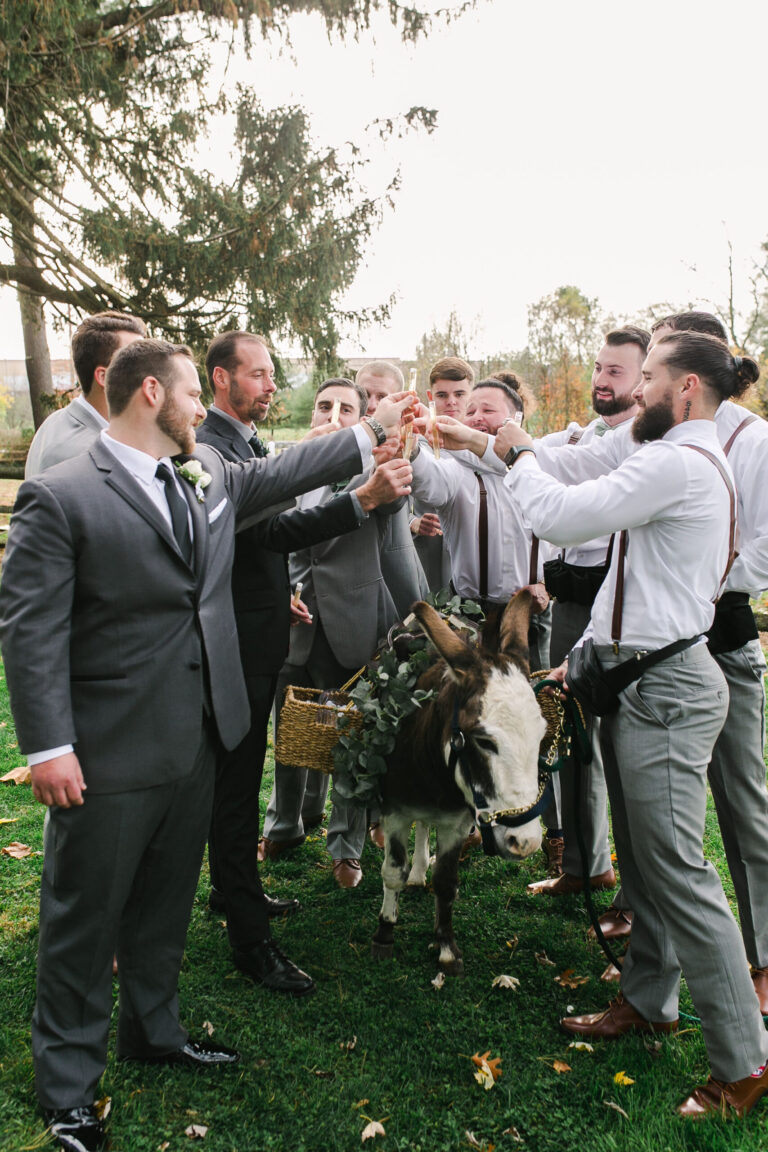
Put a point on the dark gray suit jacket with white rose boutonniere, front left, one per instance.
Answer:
(112, 642)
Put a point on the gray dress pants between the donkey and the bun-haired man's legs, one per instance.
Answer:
(568, 625)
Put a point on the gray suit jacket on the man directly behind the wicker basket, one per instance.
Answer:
(344, 585)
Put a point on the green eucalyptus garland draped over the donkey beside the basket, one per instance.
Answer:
(385, 696)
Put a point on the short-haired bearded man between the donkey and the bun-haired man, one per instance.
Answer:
(574, 581)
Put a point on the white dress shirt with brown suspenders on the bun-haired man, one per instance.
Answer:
(676, 506)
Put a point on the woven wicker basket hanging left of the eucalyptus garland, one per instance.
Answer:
(309, 730)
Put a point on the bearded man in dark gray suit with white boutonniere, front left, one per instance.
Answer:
(118, 633)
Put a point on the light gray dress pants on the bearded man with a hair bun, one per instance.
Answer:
(657, 748)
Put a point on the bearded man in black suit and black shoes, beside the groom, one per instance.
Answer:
(241, 374)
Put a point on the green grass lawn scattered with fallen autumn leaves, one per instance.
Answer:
(377, 1042)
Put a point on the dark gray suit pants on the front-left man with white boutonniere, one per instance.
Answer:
(120, 875)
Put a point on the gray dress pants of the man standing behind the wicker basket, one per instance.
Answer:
(299, 795)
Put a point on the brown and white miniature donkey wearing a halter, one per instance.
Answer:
(486, 710)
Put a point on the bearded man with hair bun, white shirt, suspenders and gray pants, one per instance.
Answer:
(674, 503)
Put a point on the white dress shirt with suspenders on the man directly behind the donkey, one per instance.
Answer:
(451, 487)
